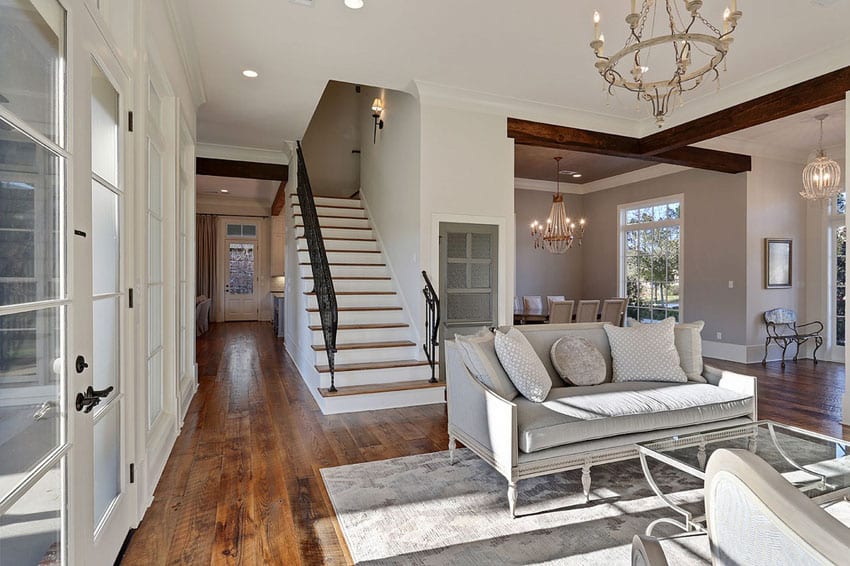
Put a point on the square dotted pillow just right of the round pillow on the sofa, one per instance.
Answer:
(646, 352)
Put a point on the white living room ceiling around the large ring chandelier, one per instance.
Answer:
(526, 51)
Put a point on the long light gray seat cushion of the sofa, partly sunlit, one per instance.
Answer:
(576, 414)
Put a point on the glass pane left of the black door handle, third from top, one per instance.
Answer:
(31, 369)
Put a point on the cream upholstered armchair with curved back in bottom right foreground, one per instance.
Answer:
(756, 517)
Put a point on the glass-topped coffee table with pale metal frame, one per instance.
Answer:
(817, 464)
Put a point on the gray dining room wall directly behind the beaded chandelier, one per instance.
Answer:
(537, 271)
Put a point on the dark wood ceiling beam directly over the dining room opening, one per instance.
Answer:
(575, 139)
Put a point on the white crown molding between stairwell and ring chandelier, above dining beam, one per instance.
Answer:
(456, 98)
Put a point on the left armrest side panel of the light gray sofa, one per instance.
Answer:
(478, 416)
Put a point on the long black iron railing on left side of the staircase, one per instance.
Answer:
(323, 285)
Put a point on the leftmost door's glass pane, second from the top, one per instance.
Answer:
(31, 239)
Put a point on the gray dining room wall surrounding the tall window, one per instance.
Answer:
(714, 237)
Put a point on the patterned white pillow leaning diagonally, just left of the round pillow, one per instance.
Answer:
(522, 365)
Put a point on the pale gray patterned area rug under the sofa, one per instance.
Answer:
(421, 510)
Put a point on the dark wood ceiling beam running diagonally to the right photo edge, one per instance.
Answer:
(800, 97)
